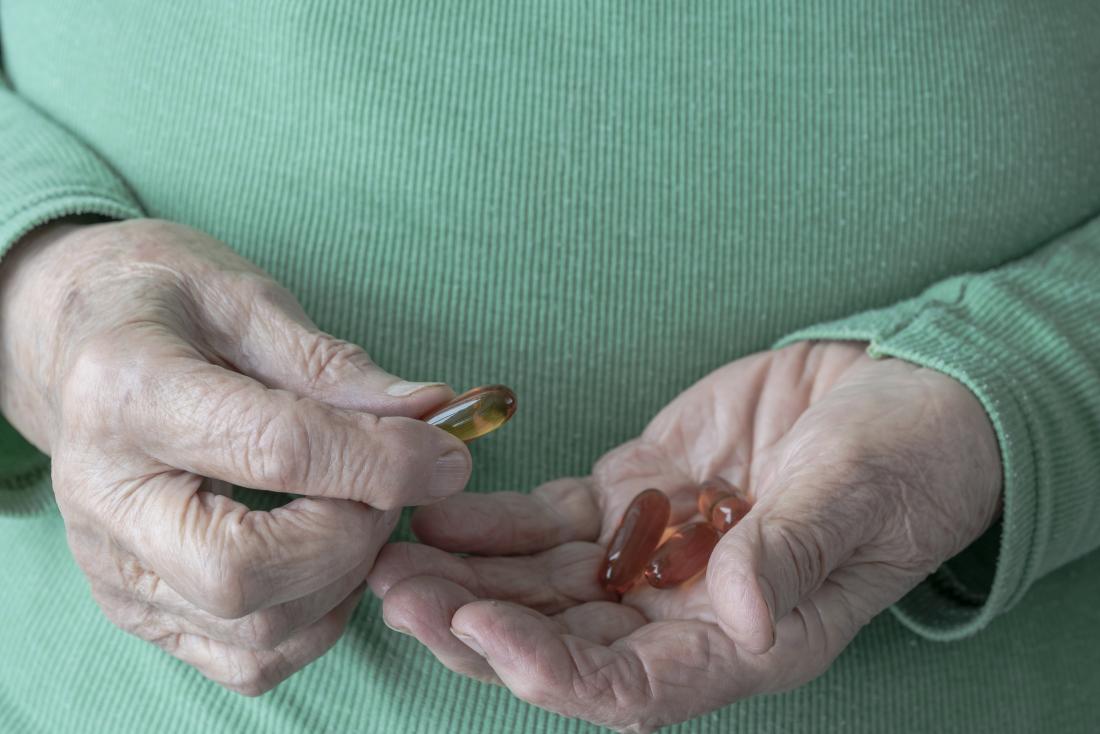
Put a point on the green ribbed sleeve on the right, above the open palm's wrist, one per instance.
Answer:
(1026, 339)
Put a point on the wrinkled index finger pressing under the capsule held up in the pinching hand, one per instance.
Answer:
(216, 423)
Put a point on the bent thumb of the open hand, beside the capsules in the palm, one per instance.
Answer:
(779, 554)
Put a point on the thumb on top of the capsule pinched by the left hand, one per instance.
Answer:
(282, 348)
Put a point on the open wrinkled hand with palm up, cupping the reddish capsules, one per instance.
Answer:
(865, 475)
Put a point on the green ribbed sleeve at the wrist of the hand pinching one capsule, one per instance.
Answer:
(46, 173)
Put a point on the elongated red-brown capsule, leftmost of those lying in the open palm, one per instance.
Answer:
(635, 541)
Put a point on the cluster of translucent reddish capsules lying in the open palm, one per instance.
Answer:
(636, 550)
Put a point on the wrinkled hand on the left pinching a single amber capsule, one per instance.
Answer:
(157, 367)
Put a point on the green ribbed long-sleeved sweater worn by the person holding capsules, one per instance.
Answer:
(598, 204)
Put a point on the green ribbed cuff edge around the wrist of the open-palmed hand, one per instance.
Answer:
(969, 591)
